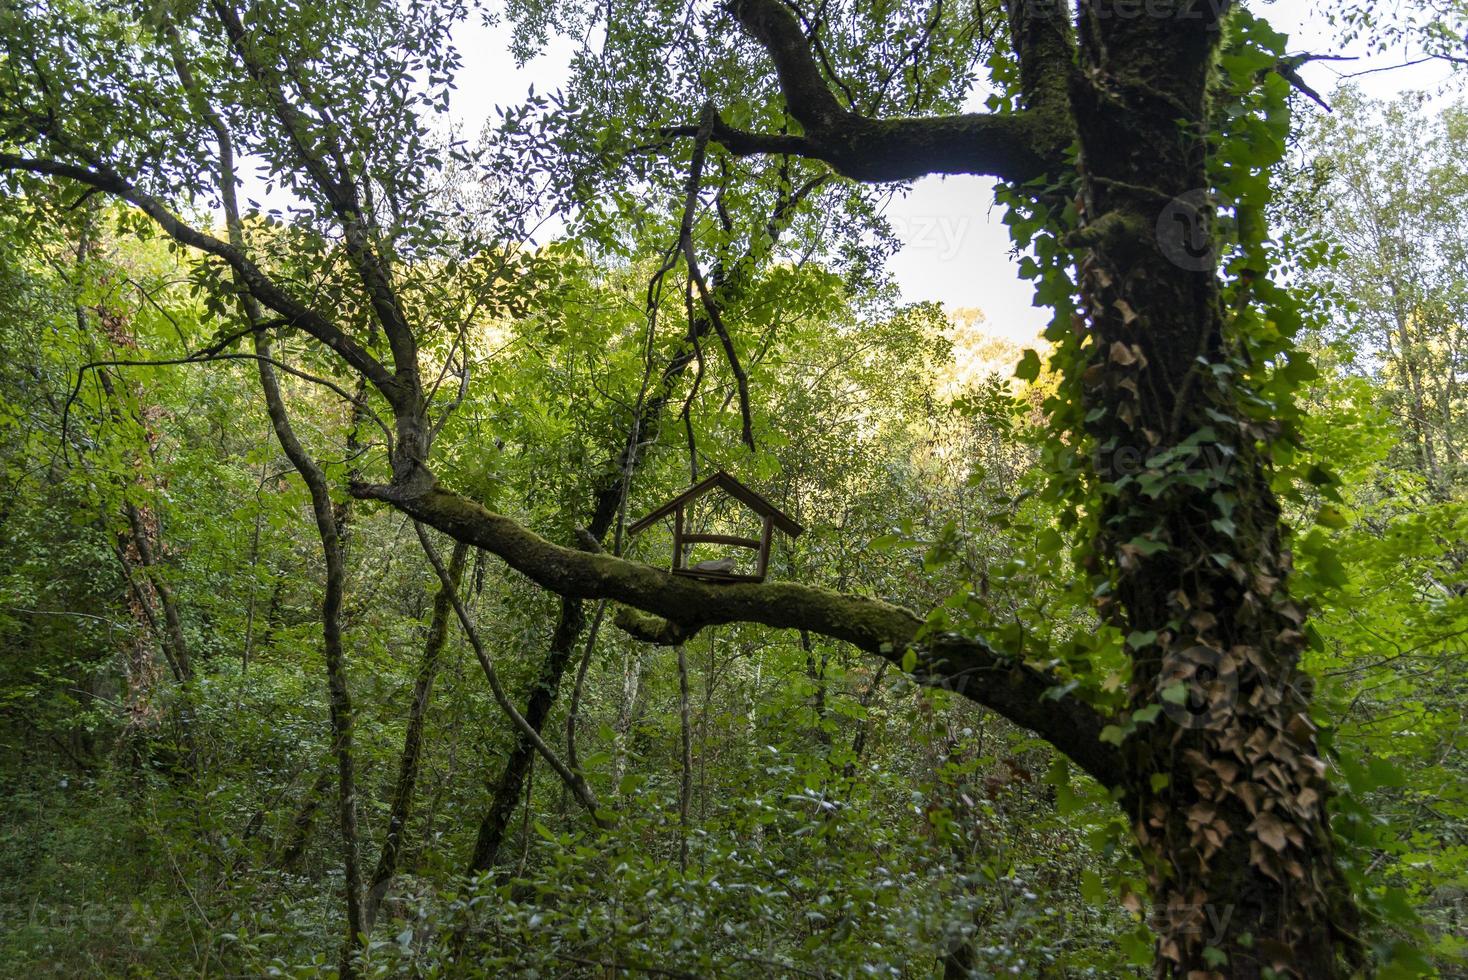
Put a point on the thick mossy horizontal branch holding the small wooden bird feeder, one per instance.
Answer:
(964, 665)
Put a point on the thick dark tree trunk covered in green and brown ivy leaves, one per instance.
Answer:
(1235, 838)
